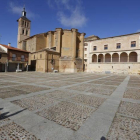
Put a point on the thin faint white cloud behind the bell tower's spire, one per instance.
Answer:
(16, 9)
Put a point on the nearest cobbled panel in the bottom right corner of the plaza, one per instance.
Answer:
(124, 128)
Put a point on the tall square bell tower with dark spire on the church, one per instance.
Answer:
(24, 26)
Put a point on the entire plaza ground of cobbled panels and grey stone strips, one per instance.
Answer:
(64, 106)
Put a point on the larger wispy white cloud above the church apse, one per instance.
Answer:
(70, 12)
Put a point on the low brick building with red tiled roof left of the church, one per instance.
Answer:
(13, 59)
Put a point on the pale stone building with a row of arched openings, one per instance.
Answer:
(118, 54)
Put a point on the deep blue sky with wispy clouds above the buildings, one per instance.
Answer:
(103, 18)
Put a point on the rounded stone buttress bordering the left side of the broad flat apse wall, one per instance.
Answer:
(59, 39)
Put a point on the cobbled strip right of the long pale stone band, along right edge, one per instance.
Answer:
(126, 124)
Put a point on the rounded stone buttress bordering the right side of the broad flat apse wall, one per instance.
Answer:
(74, 34)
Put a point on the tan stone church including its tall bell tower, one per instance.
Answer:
(61, 50)
